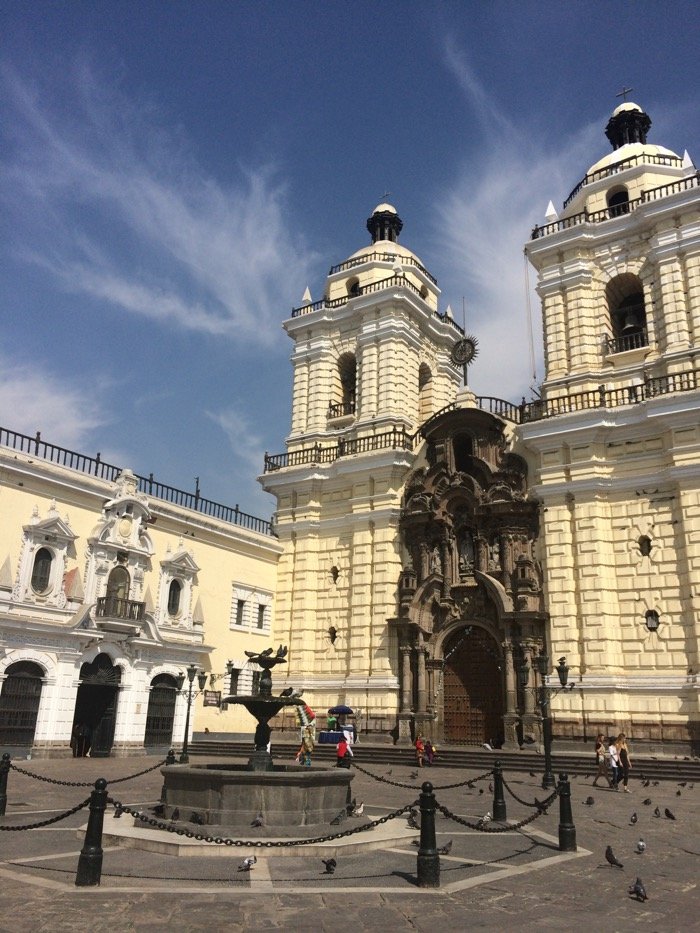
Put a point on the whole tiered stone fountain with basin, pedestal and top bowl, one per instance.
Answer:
(288, 797)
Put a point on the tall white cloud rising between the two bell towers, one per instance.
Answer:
(482, 220)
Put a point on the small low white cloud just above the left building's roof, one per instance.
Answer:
(65, 413)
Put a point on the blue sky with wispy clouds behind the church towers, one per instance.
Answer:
(173, 175)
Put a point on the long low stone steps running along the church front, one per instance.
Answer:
(656, 768)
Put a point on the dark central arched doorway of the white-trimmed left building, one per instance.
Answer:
(96, 706)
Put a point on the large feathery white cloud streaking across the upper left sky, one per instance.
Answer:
(124, 214)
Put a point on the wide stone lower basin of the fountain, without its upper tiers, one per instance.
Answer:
(226, 795)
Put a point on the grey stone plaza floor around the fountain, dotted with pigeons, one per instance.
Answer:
(488, 881)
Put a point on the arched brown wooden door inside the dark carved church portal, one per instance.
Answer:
(472, 688)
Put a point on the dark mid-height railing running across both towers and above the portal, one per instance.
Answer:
(601, 397)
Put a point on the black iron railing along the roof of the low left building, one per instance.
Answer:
(95, 466)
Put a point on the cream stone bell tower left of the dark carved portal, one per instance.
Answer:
(371, 363)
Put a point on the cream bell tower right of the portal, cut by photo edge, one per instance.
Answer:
(614, 443)
